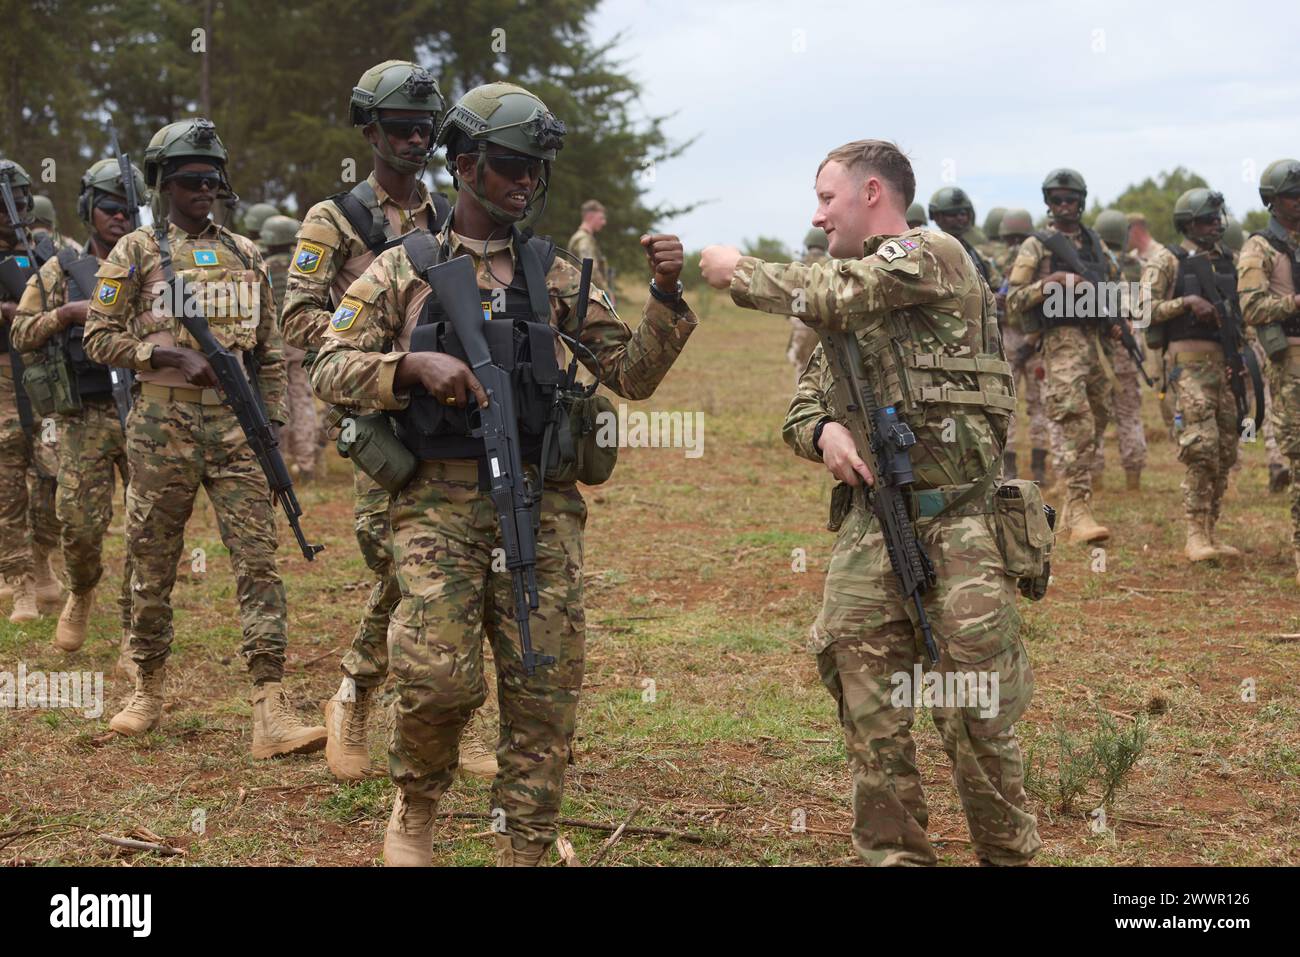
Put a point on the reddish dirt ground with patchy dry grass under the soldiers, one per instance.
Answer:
(701, 704)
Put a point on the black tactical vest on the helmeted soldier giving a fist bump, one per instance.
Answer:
(522, 341)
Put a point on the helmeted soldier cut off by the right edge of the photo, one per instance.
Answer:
(1267, 285)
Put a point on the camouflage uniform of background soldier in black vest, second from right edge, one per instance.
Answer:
(1207, 444)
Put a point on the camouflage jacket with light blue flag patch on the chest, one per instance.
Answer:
(128, 321)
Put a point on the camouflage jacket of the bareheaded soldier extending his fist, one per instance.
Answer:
(925, 321)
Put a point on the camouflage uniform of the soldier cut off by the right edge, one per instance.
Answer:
(1267, 289)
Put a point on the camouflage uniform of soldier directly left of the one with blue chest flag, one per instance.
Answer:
(92, 452)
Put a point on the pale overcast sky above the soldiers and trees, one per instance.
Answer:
(987, 97)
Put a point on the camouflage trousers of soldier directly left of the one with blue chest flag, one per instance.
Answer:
(92, 454)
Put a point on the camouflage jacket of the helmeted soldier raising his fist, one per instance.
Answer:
(384, 305)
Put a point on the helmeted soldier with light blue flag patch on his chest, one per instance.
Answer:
(181, 436)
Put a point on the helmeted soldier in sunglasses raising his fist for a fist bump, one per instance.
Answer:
(445, 527)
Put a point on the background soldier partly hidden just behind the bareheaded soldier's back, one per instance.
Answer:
(1022, 352)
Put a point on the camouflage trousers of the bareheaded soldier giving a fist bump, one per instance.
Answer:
(866, 638)
